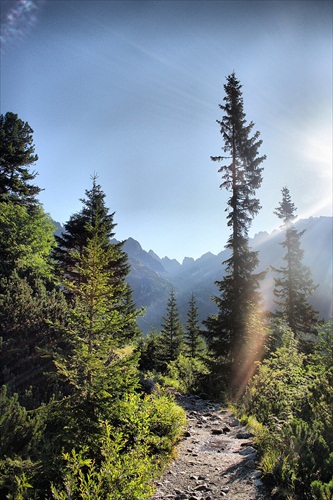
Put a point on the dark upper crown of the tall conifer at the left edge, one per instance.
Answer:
(17, 154)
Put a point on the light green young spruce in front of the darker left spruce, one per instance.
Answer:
(98, 364)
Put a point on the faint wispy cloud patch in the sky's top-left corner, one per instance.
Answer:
(17, 20)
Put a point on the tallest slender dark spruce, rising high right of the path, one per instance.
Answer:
(241, 176)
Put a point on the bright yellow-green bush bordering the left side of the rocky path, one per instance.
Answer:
(130, 454)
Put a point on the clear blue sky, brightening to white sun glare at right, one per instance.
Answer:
(130, 90)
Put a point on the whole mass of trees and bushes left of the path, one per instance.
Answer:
(76, 420)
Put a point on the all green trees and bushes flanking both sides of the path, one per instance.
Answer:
(87, 407)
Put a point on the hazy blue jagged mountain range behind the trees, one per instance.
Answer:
(152, 278)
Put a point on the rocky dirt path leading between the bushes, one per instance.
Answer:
(216, 458)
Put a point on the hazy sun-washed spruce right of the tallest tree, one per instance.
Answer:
(294, 285)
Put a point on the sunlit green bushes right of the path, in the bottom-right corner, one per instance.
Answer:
(291, 397)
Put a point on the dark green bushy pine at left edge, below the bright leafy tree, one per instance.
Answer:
(27, 309)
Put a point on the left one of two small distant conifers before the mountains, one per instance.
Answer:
(172, 335)
